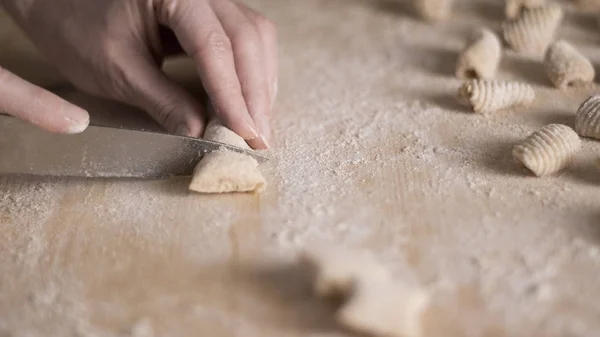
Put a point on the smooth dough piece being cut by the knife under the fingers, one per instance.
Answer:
(225, 171)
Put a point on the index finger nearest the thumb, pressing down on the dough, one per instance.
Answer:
(203, 38)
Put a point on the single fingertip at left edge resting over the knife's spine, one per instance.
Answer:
(40, 107)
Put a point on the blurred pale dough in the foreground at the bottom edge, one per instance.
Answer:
(372, 302)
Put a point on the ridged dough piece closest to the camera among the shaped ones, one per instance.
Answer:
(548, 150)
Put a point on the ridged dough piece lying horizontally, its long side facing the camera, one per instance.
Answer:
(488, 96)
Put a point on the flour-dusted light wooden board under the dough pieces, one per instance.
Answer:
(370, 151)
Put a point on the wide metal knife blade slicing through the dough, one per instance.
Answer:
(101, 151)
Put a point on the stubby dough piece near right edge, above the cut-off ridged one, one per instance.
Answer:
(567, 67)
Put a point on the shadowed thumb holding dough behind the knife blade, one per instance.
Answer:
(168, 103)
